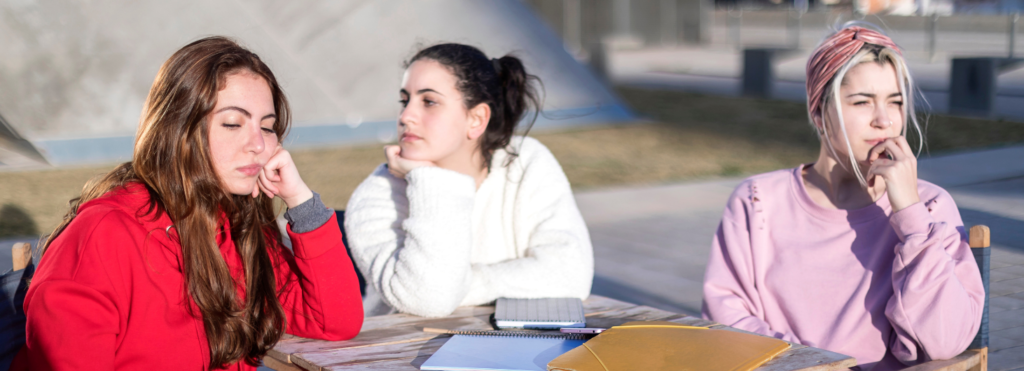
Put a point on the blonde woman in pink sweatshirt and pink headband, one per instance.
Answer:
(851, 254)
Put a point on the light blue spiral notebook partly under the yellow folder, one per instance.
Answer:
(501, 352)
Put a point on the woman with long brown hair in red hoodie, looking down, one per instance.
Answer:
(174, 261)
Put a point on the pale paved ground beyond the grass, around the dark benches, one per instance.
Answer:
(717, 67)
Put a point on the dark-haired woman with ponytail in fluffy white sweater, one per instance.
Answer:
(463, 213)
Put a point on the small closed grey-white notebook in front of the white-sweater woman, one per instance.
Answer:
(540, 314)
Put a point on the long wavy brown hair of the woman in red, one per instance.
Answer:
(173, 160)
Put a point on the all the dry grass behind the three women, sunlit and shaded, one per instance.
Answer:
(691, 137)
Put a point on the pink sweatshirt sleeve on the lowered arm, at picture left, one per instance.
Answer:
(731, 294)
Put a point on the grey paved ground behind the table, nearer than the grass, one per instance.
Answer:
(652, 245)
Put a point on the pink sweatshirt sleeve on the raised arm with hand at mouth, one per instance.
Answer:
(938, 297)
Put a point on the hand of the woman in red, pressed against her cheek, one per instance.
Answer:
(280, 178)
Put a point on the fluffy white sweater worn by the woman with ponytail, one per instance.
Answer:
(433, 242)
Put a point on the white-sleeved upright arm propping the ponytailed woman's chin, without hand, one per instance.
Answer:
(420, 264)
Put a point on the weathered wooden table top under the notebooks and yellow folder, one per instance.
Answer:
(398, 342)
